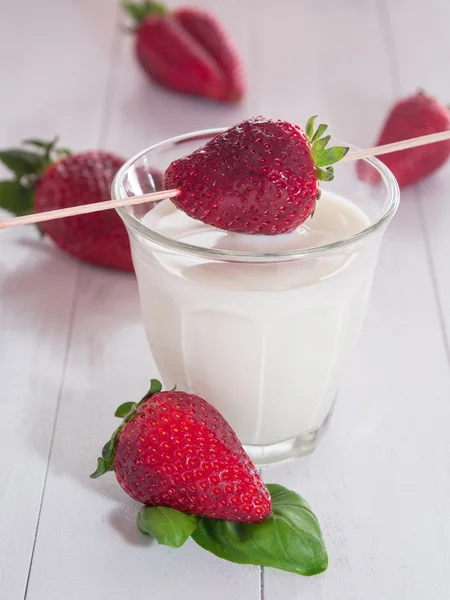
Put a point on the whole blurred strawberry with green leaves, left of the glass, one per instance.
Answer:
(47, 178)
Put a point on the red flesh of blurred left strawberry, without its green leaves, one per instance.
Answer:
(98, 238)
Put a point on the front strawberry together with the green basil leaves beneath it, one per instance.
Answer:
(175, 453)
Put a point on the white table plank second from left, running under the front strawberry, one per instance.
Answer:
(88, 545)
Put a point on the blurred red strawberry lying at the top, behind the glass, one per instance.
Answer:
(187, 50)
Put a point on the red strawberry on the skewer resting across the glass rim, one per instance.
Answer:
(260, 176)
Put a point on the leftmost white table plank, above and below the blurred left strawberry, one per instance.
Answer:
(54, 73)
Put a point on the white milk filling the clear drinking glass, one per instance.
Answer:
(264, 343)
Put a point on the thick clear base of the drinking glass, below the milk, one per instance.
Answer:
(302, 445)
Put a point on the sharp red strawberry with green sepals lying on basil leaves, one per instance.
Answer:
(174, 449)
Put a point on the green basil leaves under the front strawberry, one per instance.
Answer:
(290, 539)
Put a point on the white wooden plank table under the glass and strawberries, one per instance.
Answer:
(72, 346)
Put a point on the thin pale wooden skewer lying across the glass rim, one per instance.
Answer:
(155, 196)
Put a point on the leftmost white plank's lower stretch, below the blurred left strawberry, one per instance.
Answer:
(32, 357)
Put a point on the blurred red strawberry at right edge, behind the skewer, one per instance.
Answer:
(414, 116)
